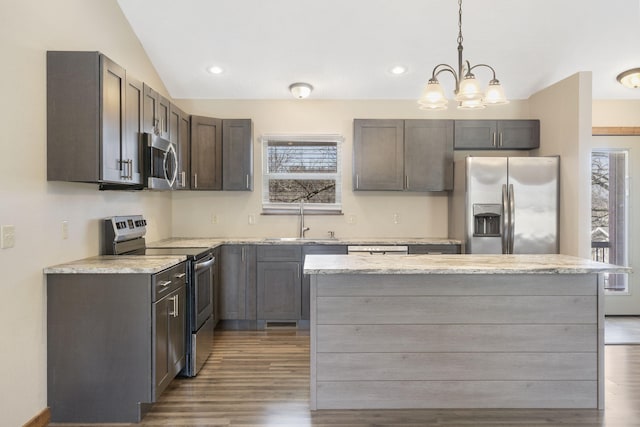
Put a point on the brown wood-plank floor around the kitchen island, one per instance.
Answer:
(262, 379)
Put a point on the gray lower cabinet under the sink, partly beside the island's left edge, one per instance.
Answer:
(279, 282)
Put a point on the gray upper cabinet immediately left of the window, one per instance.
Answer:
(237, 154)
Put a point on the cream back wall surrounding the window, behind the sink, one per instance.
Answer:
(421, 214)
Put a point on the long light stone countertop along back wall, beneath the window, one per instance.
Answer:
(209, 242)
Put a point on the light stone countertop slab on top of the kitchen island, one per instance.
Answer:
(455, 264)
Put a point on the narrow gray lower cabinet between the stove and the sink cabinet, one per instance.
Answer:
(237, 294)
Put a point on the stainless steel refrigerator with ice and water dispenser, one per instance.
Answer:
(506, 205)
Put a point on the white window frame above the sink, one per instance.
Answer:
(313, 208)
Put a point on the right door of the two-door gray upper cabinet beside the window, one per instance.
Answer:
(428, 155)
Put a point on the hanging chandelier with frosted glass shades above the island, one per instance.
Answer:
(467, 92)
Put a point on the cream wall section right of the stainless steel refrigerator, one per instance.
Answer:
(564, 110)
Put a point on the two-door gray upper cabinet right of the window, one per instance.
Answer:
(409, 155)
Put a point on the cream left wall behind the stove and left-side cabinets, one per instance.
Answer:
(36, 207)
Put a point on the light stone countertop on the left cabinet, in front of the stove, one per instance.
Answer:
(117, 264)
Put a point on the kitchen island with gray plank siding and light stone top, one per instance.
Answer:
(456, 331)
